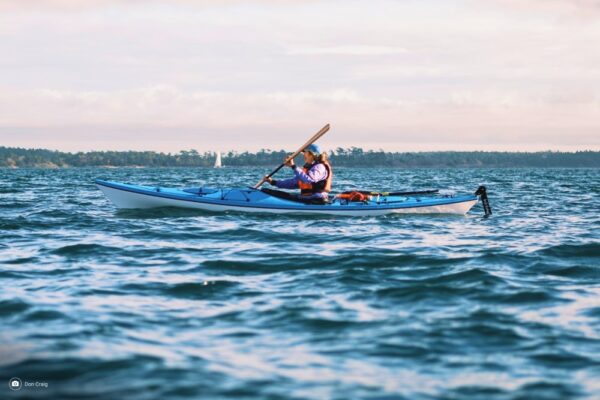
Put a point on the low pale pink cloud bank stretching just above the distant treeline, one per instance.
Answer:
(167, 118)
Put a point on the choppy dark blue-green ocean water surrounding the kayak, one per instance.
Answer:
(176, 304)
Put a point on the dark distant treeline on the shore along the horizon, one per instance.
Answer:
(346, 157)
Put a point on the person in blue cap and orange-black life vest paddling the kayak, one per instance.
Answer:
(313, 180)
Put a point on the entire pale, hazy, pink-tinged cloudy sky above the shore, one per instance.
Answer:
(399, 75)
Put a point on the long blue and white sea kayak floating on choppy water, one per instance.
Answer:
(127, 196)
